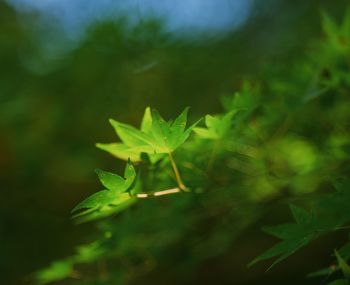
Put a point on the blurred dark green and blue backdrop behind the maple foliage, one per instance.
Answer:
(68, 66)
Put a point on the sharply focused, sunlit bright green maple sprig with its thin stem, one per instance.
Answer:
(155, 137)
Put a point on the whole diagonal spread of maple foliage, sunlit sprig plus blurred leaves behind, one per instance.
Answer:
(293, 145)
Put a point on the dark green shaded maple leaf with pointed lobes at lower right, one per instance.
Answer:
(329, 213)
